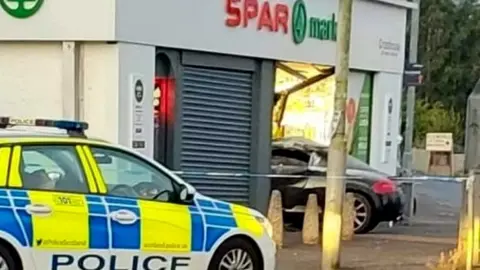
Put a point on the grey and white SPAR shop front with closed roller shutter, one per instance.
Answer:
(198, 84)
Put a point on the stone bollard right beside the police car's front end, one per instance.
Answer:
(275, 216)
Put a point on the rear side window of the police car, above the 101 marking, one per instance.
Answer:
(54, 167)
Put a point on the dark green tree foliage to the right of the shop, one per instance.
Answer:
(449, 49)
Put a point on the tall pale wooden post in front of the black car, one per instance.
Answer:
(337, 152)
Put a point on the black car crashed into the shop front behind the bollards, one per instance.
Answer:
(378, 197)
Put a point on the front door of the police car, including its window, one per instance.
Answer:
(148, 230)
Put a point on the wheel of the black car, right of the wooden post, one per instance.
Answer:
(364, 218)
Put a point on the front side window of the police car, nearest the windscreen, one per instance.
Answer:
(128, 176)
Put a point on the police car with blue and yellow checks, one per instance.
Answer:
(69, 202)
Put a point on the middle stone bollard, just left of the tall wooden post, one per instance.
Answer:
(311, 230)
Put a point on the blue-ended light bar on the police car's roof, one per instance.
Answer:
(72, 127)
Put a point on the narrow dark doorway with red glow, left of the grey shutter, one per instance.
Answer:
(164, 102)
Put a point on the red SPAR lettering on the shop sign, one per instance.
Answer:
(265, 16)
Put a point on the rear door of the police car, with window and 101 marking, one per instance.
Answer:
(49, 186)
